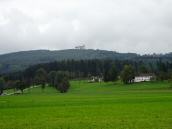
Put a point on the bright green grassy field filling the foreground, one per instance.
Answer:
(90, 106)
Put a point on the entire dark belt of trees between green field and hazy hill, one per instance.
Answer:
(57, 74)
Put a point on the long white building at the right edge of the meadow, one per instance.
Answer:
(143, 78)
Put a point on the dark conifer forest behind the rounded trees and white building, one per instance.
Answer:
(84, 68)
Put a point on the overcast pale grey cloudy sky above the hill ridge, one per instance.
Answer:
(141, 26)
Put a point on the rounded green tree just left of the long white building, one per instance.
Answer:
(127, 75)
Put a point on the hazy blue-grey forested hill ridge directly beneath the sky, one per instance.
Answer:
(18, 61)
